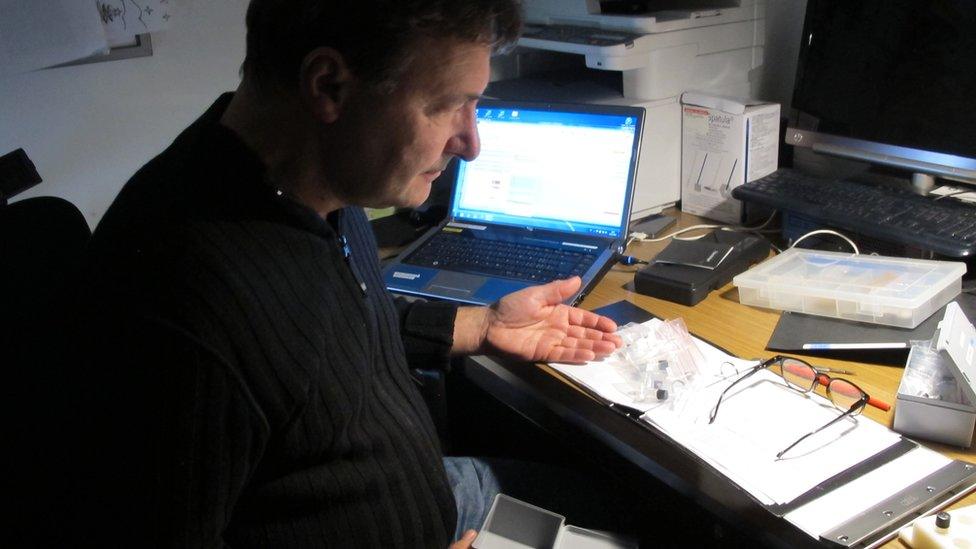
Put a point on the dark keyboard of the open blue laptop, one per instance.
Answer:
(500, 258)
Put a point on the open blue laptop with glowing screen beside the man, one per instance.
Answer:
(548, 197)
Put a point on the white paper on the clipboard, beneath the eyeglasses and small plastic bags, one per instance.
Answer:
(758, 418)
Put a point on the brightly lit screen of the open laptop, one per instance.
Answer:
(569, 168)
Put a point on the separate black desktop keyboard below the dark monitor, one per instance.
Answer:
(946, 227)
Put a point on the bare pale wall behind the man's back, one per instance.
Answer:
(88, 128)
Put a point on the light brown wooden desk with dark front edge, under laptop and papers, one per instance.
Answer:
(541, 395)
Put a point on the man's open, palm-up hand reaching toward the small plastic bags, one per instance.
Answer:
(533, 324)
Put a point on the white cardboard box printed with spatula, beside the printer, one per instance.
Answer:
(725, 142)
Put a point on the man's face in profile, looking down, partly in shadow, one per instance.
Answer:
(386, 149)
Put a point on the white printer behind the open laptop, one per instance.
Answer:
(637, 53)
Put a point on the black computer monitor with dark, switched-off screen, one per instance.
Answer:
(890, 82)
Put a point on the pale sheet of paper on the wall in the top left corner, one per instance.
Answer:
(34, 35)
